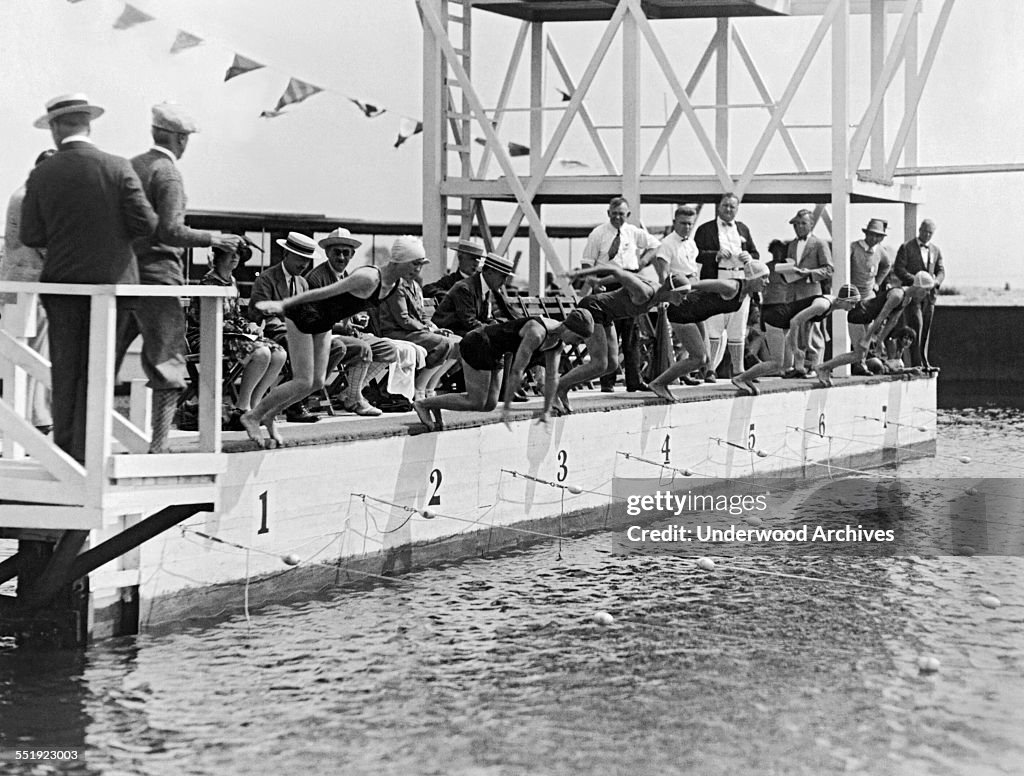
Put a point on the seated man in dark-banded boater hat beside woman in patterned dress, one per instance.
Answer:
(280, 282)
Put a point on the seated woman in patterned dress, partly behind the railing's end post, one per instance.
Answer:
(243, 340)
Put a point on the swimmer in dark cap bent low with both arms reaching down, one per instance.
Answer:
(534, 340)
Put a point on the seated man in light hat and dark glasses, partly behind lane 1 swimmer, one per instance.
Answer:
(366, 357)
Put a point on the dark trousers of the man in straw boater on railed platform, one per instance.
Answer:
(69, 319)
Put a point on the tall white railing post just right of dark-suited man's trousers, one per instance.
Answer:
(100, 398)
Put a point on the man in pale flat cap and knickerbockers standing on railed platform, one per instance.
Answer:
(161, 321)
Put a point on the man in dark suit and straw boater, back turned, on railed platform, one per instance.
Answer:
(84, 207)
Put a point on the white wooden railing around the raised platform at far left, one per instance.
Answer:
(19, 324)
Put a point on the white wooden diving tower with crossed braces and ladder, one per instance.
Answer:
(457, 178)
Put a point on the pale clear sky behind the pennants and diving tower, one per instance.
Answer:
(325, 157)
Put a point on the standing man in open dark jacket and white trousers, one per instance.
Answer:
(724, 246)
